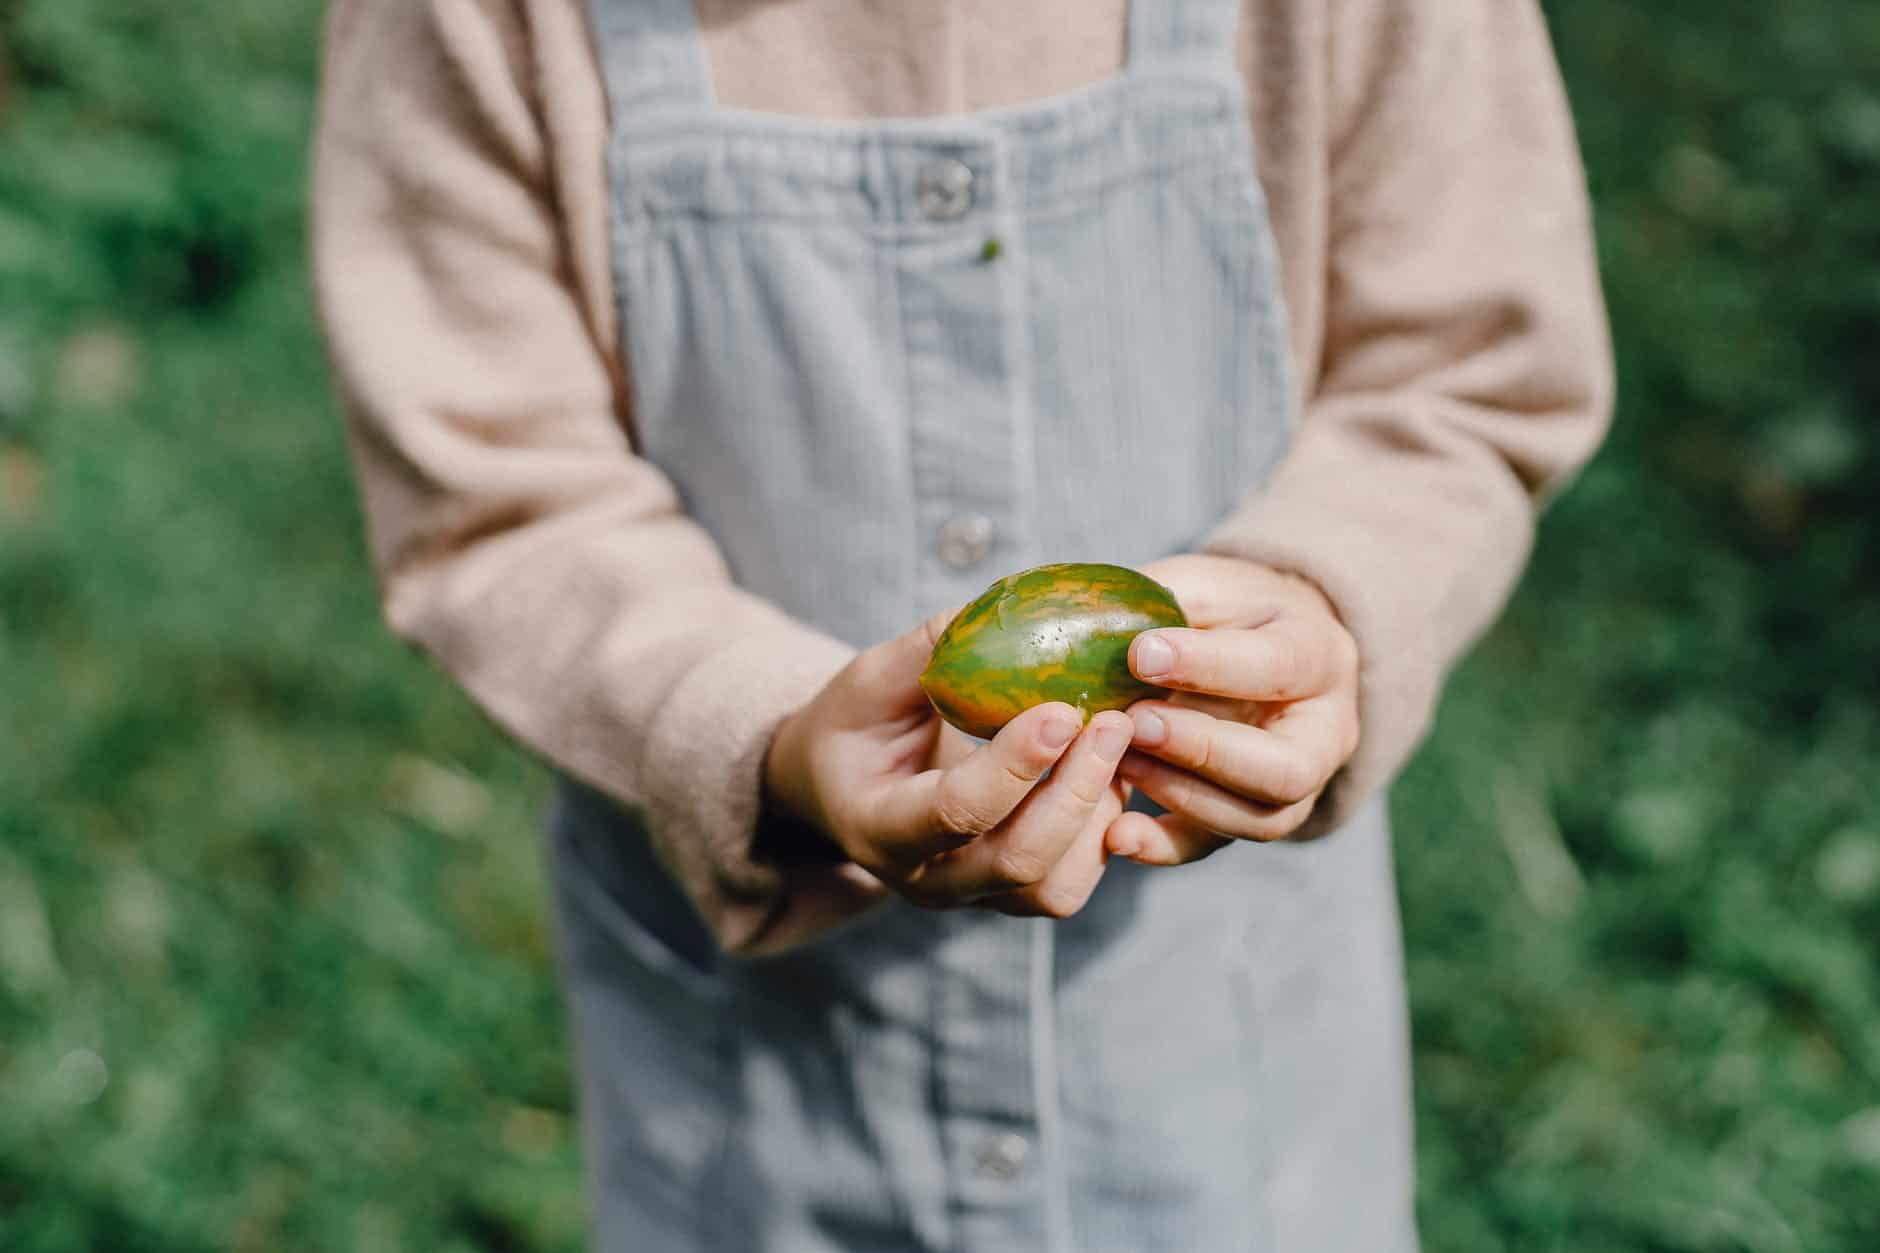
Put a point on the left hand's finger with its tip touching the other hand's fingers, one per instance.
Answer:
(1026, 851)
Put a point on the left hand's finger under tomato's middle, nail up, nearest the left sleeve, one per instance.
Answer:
(941, 810)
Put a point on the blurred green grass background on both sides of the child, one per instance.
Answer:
(274, 964)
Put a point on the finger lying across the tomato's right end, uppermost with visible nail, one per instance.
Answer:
(1287, 659)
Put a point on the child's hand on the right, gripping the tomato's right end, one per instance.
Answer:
(1264, 712)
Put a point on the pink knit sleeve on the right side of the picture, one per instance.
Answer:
(1465, 372)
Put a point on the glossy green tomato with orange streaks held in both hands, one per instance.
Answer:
(1052, 633)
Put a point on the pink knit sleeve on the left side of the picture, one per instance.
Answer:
(516, 535)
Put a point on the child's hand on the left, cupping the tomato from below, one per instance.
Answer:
(937, 819)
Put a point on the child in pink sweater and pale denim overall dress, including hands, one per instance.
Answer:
(700, 360)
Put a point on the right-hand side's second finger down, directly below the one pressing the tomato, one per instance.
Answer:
(1249, 761)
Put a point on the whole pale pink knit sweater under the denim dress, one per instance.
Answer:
(1449, 332)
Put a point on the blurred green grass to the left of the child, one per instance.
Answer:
(274, 970)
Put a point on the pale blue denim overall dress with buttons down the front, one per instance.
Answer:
(885, 364)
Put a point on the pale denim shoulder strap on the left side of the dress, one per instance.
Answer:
(651, 56)
